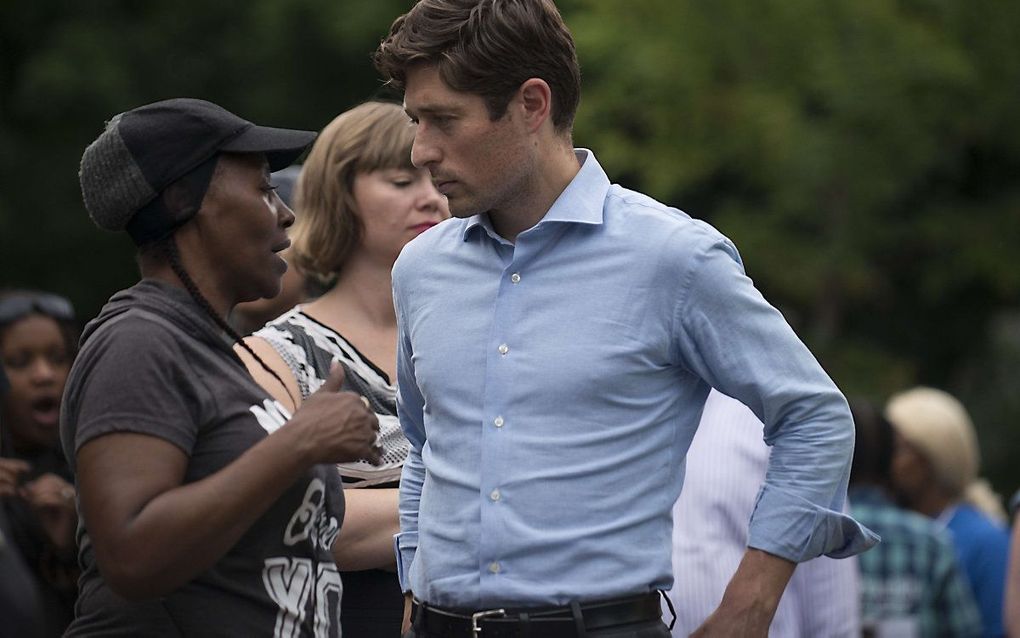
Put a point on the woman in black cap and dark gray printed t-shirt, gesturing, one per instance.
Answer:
(207, 509)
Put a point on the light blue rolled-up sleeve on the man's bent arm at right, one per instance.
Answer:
(731, 337)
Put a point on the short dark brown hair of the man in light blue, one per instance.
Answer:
(487, 48)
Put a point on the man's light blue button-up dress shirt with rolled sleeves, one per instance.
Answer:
(551, 387)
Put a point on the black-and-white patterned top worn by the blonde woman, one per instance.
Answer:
(310, 349)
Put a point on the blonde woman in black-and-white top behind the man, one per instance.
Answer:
(360, 202)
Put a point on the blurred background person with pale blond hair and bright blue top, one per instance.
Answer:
(936, 472)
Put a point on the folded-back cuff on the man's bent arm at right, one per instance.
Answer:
(793, 528)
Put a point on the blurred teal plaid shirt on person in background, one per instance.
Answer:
(911, 583)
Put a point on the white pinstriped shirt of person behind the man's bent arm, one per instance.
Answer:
(726, 468)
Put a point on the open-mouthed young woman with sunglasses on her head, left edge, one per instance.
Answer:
(38, 341)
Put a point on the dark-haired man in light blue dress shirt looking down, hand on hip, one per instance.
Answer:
(557, 342)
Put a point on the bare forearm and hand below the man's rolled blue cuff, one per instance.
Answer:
(751, 599)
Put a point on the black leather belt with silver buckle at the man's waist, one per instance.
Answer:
(536, 623)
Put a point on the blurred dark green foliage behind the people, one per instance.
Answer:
(862, 155)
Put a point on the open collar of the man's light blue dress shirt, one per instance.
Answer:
(581, 203)
